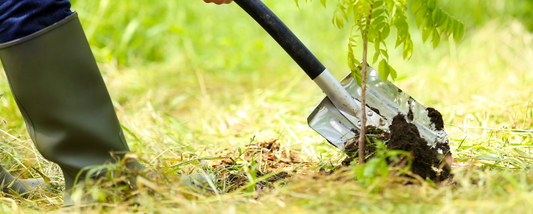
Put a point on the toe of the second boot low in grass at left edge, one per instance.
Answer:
(11, 184)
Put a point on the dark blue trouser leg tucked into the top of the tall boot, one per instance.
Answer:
(19, 18)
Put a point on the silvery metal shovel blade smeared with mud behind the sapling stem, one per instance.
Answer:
(386, 99)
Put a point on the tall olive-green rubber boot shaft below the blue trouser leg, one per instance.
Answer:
(64, 101)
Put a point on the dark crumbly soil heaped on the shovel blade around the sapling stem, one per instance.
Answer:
(428, 162)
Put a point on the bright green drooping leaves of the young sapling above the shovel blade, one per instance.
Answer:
(374, 19)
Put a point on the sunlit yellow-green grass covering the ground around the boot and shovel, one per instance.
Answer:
(189, 80)
